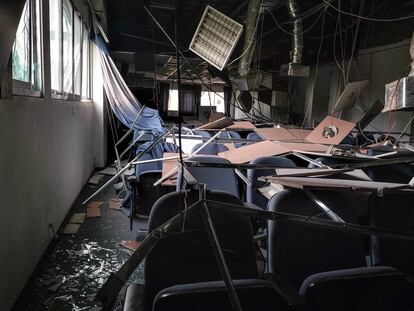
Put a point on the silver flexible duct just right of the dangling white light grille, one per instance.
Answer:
(253, 12)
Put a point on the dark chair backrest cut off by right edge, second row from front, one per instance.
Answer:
(393, 211)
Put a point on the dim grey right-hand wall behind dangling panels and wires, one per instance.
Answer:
(380, 65)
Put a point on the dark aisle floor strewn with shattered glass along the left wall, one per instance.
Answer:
(75, 266)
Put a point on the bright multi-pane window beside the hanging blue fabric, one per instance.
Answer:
(69, 49)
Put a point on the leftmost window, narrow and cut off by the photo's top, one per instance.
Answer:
(27, 49)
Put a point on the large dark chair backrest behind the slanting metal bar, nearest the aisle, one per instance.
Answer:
(187, 257)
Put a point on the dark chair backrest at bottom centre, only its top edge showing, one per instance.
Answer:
(254, 295)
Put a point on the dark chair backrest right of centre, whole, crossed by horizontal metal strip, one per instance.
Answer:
(296, 251)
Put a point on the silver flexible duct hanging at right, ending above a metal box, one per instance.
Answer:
(297, 41)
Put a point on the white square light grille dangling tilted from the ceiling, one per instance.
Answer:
(216, 37)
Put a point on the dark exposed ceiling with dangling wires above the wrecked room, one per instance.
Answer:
(327, 35)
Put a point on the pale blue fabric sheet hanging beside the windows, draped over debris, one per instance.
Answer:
(123, 103)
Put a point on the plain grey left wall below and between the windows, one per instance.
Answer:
(48, 150)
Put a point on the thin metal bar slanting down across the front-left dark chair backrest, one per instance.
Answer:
(215, 243)
